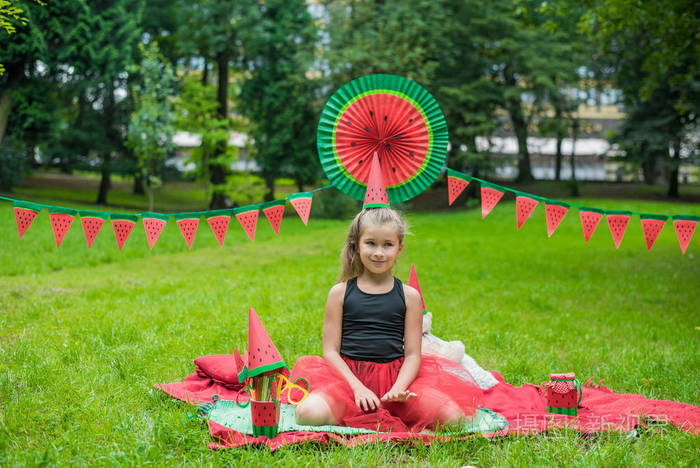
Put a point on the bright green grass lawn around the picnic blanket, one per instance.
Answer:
(84, 334)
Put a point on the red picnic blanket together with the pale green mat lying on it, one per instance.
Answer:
(511, 410)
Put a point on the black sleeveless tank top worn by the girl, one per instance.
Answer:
(373, 324)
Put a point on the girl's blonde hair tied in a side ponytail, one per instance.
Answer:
(350, 256)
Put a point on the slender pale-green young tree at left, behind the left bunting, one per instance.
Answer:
(151, 125)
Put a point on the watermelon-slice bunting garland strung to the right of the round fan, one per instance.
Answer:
(555, 210)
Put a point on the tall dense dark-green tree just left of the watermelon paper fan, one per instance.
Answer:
(277, 94)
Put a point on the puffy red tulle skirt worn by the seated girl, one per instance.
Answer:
(441, 387)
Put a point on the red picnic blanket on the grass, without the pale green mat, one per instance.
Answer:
(524, 408)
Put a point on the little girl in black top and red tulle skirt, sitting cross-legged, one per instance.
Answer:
(372, 374)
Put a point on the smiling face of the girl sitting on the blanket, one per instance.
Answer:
(379, 247)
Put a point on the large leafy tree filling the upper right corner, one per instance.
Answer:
(653, 53)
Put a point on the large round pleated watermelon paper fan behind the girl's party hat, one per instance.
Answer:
(392, 116)
